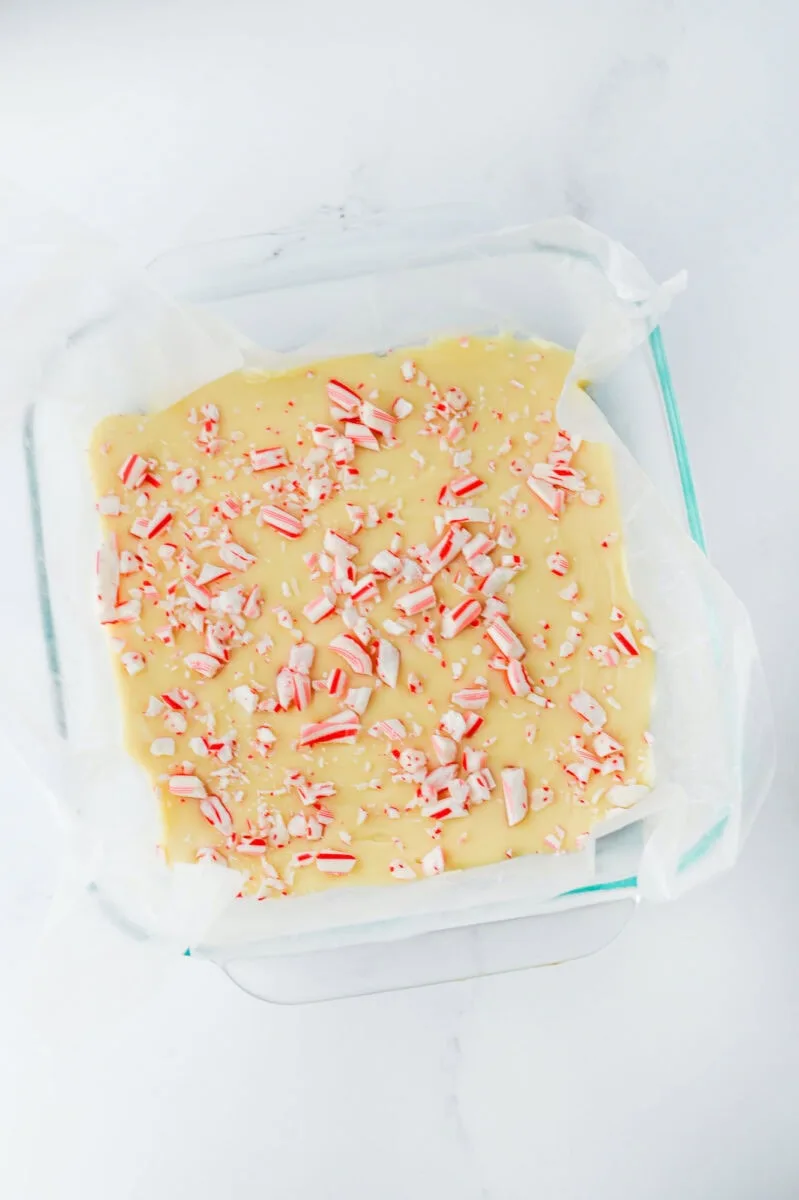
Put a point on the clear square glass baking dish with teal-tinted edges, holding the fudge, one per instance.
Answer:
(391, 280)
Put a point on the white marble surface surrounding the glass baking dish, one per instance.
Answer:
(669, 1065)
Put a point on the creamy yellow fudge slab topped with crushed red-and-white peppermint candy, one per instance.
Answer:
(371, 619)
